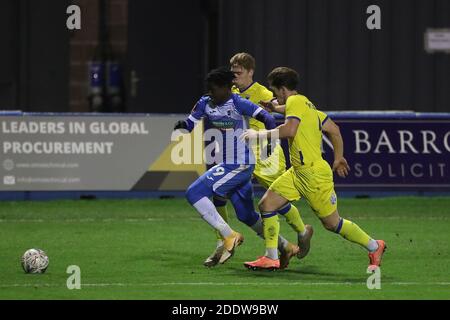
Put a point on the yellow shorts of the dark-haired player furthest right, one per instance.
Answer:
(314, 183)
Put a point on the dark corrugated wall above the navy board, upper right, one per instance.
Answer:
(342, 64)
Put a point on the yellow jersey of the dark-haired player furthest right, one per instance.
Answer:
(305, 147)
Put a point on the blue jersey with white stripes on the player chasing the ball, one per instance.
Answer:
(230, 119)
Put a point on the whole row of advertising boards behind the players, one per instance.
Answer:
(47, 155)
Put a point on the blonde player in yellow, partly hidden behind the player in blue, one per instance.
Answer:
(267, 170)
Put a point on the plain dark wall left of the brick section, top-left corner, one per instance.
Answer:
(34, 55)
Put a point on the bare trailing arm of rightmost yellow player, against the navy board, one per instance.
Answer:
(333, 133)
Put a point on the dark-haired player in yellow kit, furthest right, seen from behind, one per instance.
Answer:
(310, 176)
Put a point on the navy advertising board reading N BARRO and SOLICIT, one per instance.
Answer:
(393, 150)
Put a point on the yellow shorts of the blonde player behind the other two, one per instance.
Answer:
(268, 170)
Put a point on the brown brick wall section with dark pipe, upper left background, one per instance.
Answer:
(83, 43)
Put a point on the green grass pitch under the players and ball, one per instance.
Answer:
(154, 249)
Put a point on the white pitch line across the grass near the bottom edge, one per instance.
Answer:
(225, 284)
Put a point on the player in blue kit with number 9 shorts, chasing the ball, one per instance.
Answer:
(231, 179)
